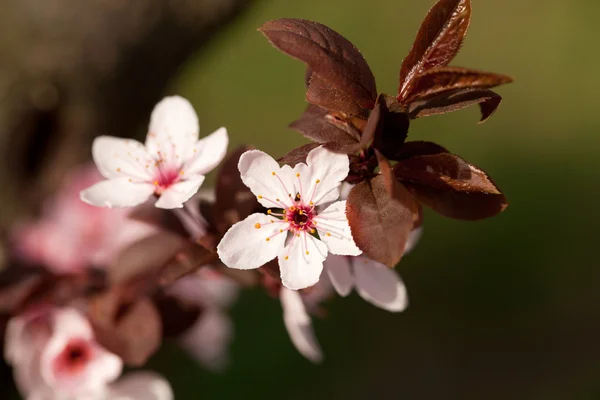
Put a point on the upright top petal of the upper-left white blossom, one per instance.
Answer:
(173, 130)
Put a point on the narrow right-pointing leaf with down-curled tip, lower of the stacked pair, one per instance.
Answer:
(488, 102)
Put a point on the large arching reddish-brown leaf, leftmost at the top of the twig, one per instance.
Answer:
(327, 53)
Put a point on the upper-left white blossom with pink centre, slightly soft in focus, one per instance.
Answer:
(170, 165)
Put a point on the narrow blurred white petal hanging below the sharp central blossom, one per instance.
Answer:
(299, 325)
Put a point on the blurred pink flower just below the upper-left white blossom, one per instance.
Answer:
(71, 235)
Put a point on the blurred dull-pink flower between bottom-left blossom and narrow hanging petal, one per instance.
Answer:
(209, 338)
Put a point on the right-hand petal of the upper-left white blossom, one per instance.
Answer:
(208, 153)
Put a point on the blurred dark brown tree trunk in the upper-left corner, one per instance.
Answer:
(71, 70)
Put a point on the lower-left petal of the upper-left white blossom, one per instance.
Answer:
(118, 192)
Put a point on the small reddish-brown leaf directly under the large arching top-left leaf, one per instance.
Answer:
(324, 94)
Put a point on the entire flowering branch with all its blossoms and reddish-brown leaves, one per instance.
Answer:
(148, 254)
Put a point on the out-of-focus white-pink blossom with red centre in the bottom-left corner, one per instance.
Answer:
(55, 357)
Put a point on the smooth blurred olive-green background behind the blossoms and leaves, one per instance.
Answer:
(507, 308)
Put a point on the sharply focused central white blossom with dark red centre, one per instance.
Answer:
(294, 230)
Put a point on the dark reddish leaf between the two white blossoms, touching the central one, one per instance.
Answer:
(234, 201)
